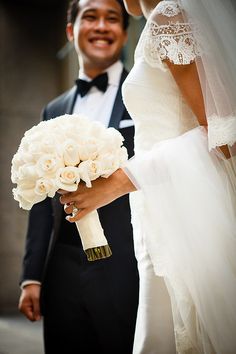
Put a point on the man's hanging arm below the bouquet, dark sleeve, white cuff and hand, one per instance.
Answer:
(37, 243)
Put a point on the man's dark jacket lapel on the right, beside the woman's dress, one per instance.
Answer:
(118, 108)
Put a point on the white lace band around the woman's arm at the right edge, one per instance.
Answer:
(221, 131)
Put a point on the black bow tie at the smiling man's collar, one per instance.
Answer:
(101, 82)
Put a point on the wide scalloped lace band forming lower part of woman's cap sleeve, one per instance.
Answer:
(174, 41)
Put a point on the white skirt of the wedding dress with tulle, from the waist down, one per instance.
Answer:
(184, 220)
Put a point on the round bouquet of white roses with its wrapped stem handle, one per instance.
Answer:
(58, 154)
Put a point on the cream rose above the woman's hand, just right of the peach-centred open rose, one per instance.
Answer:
(89, 171)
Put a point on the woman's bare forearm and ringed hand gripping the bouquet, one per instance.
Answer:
(103, 192)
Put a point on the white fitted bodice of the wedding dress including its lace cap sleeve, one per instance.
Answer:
(150, 92)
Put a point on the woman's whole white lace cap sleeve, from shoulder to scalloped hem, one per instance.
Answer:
(168, 36)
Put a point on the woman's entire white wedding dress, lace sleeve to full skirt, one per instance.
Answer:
(183, 213)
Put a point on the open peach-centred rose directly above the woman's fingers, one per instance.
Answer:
(67, 178)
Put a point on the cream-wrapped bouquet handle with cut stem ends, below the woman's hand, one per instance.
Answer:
(92, 237)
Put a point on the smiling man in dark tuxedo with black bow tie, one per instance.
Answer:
(87, 307)
